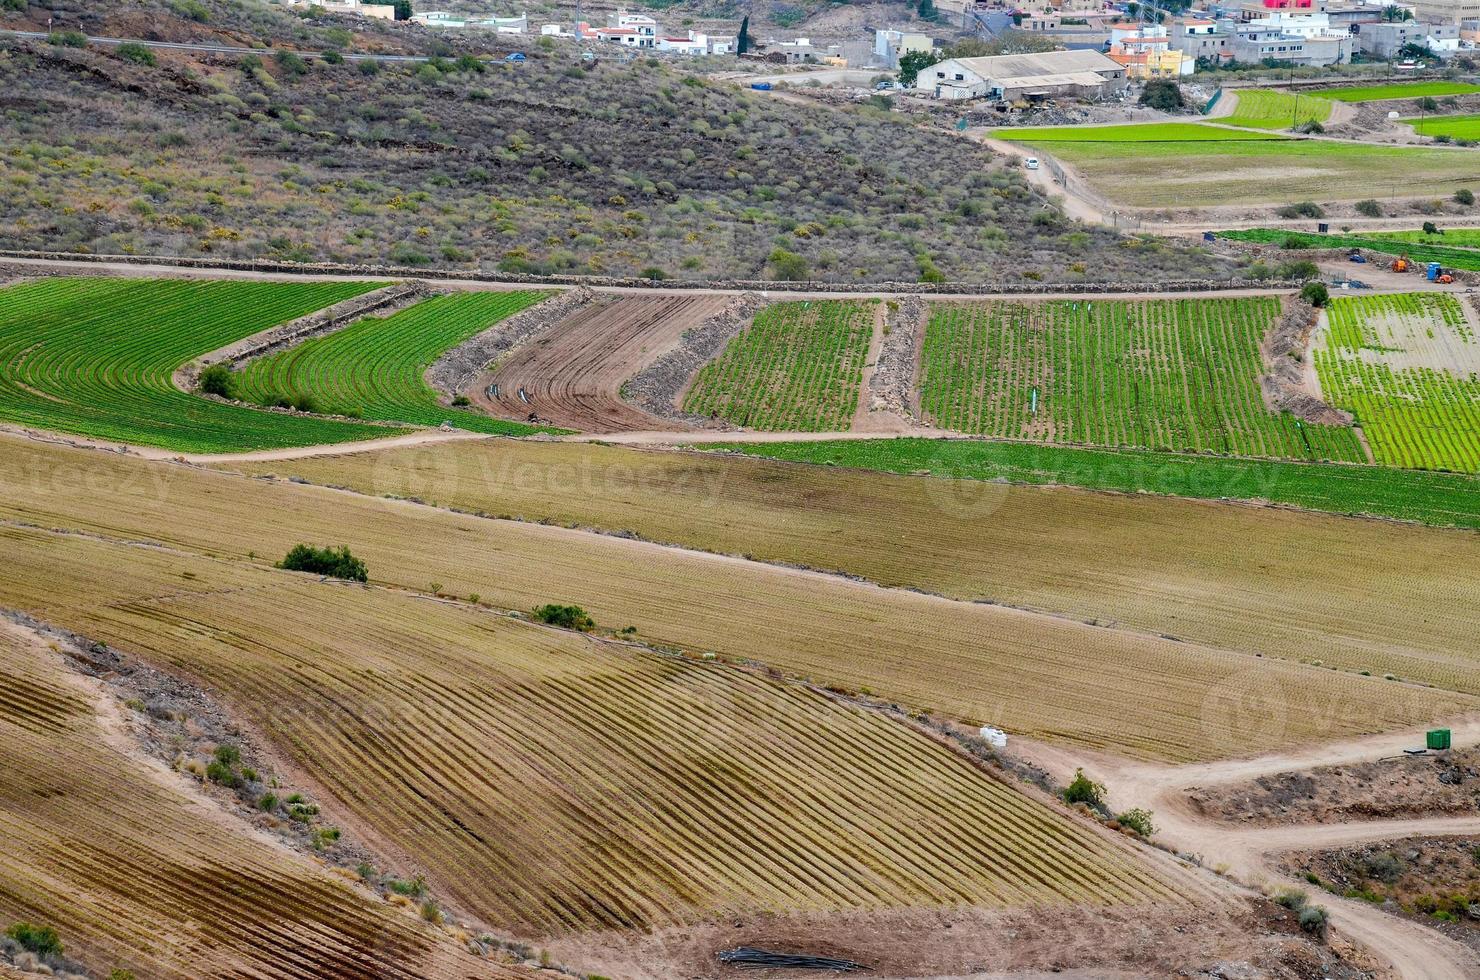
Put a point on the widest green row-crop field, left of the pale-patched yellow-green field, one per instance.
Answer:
(1170, 375)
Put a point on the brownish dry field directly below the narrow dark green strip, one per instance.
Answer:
(1367, 596)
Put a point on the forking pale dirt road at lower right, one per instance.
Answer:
(1245, 853)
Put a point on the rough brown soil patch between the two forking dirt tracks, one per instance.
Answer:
(1444, 784)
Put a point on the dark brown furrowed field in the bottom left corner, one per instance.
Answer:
(138, 874)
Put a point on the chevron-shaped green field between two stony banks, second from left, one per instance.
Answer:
(375, 368)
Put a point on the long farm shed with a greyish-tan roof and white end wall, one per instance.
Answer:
(1013, 78)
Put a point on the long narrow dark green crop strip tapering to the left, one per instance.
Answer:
(1426, 498)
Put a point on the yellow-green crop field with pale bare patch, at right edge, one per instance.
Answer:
(1407, 368)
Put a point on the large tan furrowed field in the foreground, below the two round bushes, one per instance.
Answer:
(560, 784)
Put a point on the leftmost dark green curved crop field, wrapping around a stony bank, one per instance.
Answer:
(94, 358)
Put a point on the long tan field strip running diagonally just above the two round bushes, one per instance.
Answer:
(1046, 676)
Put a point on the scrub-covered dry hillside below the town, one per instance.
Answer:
(529, 170)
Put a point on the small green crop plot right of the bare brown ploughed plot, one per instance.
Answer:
(797, 369)
